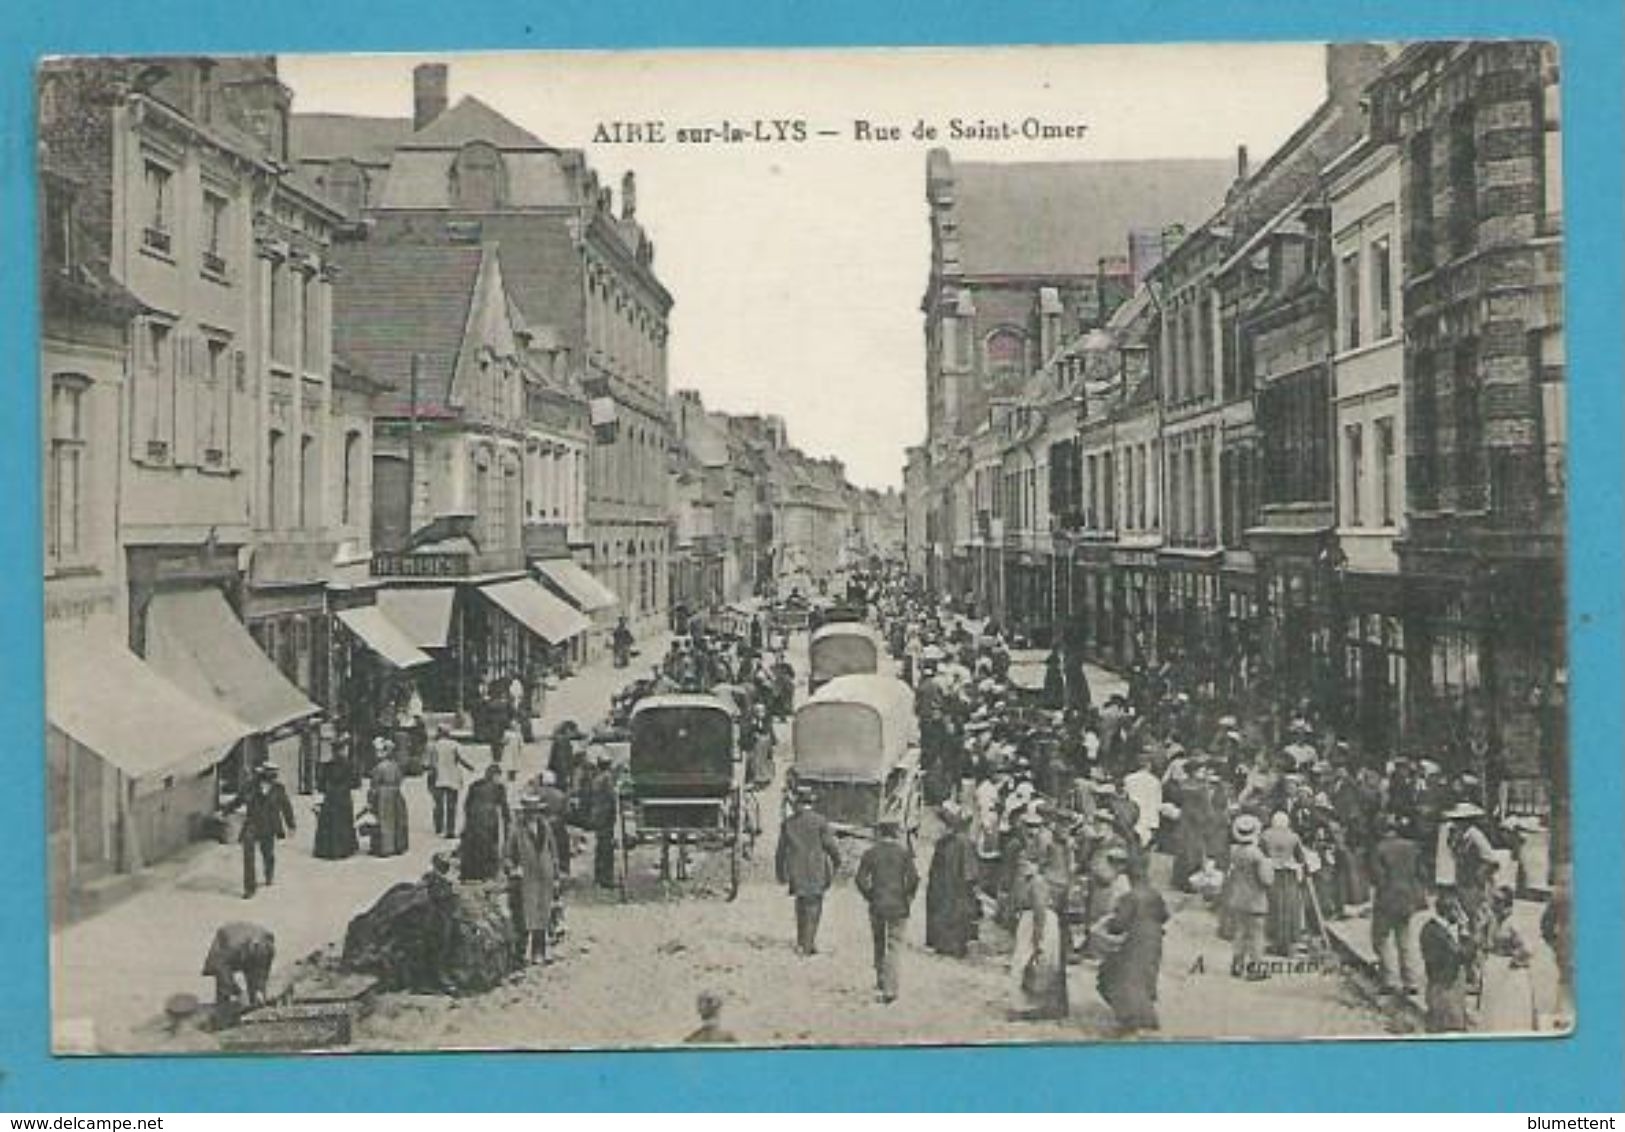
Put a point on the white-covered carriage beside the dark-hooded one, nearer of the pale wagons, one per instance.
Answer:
(857, 746)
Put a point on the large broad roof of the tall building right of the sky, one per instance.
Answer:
(1065, 217)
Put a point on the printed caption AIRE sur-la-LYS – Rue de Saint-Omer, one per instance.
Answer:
(804, 131)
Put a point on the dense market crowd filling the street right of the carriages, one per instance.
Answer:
(1060, 811)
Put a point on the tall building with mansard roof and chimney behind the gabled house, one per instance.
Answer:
(576, 267)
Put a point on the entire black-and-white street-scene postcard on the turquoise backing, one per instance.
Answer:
(555, 551)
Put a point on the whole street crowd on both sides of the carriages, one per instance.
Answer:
(1064, 823)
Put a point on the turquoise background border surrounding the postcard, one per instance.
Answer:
(1584, 1073)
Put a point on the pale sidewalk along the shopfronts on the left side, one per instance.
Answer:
(113, 970)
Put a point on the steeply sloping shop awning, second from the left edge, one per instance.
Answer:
(194, 639)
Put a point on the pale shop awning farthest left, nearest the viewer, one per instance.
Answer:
(106, 699)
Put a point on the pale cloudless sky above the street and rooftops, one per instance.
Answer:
(799, 267)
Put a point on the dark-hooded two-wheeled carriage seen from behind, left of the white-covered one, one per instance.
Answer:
(685, 785)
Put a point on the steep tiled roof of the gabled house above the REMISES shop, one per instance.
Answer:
(399, 300)
